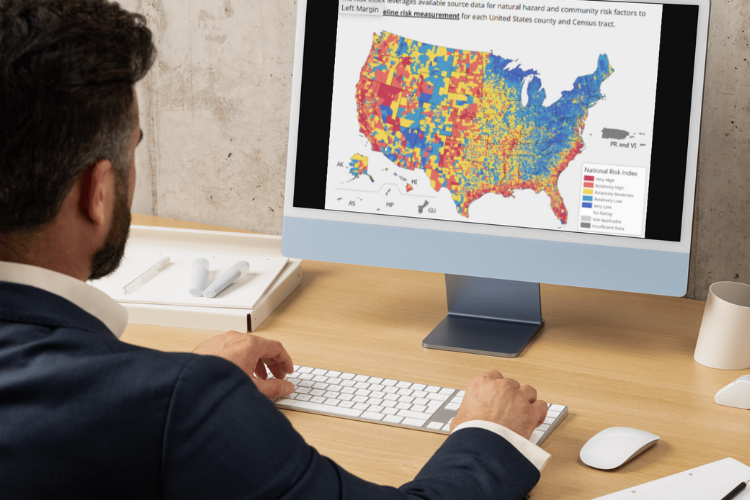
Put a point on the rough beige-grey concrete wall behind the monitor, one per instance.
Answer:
(215, 112)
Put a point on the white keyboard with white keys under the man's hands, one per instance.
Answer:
(386, 401)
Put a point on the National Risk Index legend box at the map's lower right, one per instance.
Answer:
(613, 200)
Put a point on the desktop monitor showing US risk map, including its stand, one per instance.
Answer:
(503, 144)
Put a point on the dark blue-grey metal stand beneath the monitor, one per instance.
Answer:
(488, 316)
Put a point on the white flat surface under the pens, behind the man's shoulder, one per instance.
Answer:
(170, 285)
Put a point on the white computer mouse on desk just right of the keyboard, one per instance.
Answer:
(613, 447)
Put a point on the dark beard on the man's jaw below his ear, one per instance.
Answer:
(107, 259)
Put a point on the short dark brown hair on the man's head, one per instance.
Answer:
(67, 74)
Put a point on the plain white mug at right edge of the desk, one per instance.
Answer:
(724, 338)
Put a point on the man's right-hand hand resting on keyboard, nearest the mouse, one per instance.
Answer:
(504, 401)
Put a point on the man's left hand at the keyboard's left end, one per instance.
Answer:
(253, 354)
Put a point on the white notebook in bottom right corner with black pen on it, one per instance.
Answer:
(712, 481)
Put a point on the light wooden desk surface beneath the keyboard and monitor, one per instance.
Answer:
(616, 359)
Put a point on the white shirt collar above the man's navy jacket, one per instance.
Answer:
(93, 301)
